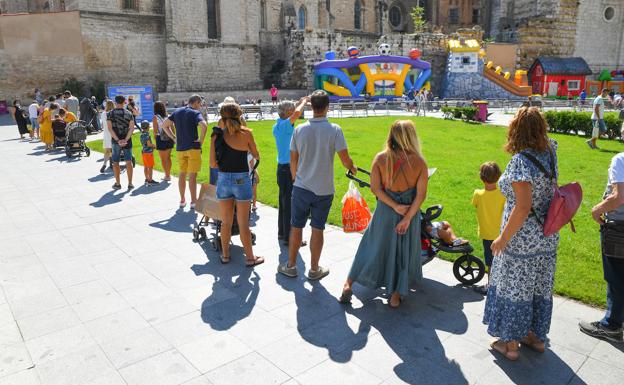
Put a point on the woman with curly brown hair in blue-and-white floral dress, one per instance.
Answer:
(519, 303)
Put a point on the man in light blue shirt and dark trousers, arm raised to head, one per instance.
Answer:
(282, 131)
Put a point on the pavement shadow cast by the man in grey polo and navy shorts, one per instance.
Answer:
(321, 320)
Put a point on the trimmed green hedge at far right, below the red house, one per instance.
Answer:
(571, 122)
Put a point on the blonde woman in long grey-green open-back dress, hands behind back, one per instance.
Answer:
(389, 252)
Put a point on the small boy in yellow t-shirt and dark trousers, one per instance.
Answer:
(489, 203)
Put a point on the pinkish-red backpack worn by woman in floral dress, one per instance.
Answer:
(565, 202)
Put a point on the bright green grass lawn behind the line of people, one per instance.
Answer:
(457, 149)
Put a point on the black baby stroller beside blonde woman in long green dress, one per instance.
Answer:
(467, 269)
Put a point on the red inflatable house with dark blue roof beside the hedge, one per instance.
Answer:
(555, 76)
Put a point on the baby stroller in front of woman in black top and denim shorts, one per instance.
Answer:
(208, 213)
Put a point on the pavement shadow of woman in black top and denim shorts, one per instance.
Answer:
(234, 291)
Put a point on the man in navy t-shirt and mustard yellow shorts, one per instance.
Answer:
(188, 144)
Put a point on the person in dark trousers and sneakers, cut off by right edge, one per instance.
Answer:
(610, 215)
